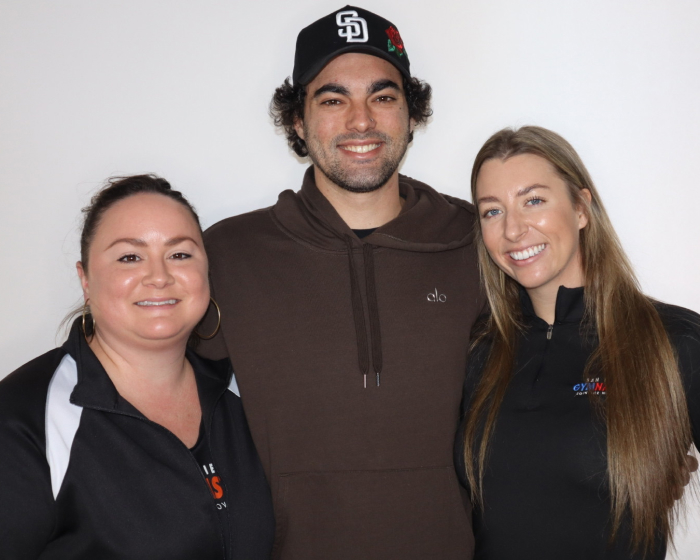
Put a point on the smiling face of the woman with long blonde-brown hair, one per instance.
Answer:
(529, 223)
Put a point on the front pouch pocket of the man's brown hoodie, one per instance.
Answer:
(379, 514)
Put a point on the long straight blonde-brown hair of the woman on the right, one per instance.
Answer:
(648, 432)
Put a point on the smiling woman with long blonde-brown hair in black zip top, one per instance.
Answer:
(582, 394)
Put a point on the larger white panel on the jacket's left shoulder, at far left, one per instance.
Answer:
(62, 420)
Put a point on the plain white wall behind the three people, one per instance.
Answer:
(92, 89)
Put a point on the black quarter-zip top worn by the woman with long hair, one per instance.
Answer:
(546, 493)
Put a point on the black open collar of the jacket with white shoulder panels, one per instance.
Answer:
(96, 390)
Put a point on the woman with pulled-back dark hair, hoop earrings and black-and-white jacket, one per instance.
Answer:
(122, 443)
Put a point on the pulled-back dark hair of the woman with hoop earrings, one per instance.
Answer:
(119, 188)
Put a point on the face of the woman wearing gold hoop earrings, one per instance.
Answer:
(147, 277)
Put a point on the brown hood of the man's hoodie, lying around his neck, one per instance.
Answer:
(446, 222)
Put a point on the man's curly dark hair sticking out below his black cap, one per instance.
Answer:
(287, 106)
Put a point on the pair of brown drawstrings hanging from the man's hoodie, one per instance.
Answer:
(359, 315)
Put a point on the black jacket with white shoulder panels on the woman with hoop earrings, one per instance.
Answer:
(84, 475)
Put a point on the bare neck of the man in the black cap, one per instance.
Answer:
(362, 210)
